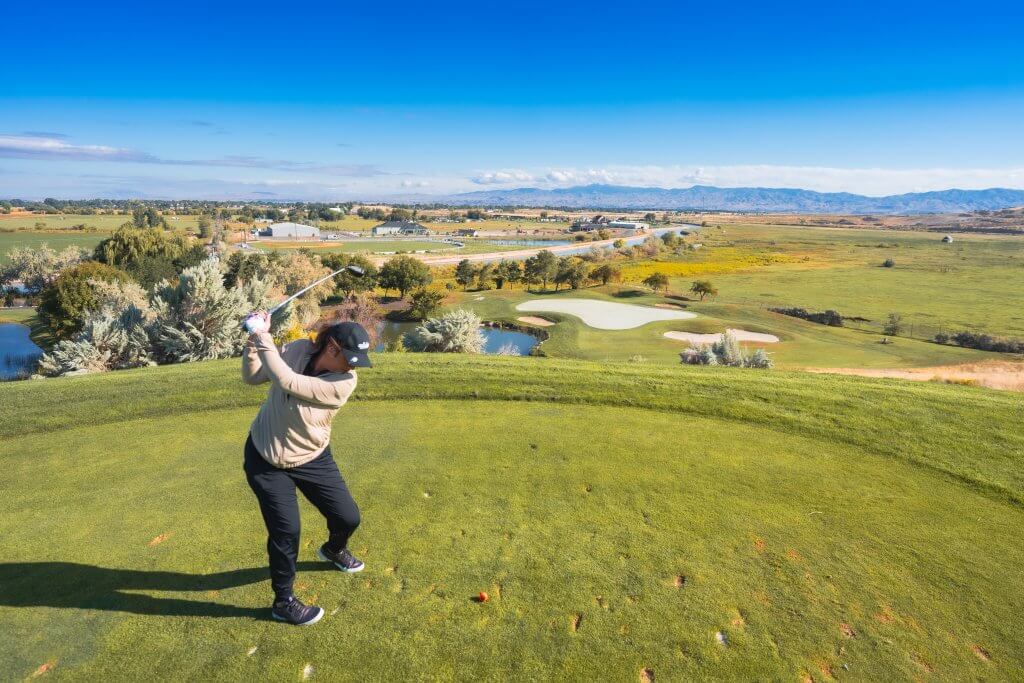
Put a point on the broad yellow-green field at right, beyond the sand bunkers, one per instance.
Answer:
(966, 285)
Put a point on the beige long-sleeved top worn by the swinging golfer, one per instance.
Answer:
(293, 425)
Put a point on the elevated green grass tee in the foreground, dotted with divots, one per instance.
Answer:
(702, 524)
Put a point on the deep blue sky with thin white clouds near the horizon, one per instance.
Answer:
(319, 102)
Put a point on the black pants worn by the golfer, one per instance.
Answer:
(321, 483)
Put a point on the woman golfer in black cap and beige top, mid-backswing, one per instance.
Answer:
(289, 447)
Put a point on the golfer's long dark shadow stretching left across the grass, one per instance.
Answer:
(68, 585)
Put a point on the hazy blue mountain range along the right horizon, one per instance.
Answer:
(771, 200)
